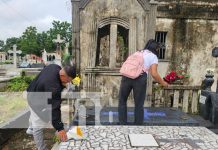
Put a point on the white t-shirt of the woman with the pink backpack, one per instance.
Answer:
(149, 59)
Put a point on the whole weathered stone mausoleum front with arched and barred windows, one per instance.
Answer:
(105, 32)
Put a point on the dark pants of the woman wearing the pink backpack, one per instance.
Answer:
(139, 90)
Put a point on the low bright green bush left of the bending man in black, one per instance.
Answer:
(19, 83)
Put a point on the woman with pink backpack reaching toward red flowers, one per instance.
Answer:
(134, 73)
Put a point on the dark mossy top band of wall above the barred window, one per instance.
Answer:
(188, 9)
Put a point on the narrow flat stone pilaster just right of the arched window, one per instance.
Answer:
(132, 35)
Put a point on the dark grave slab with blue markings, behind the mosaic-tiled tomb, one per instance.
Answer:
(152, 116)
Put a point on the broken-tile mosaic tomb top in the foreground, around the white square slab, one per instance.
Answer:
(168, 137)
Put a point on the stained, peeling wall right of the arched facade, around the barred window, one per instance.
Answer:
(192, 28)
